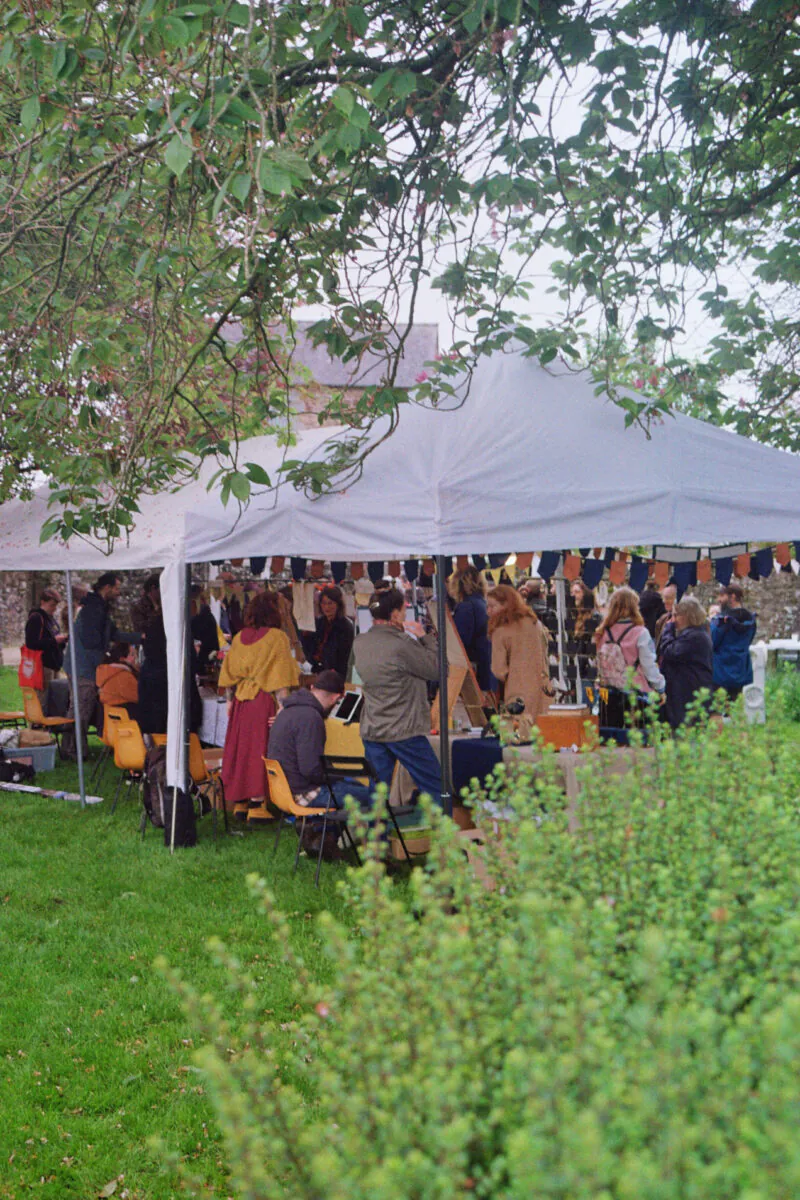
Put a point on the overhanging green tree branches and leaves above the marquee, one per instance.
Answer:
(170, 172)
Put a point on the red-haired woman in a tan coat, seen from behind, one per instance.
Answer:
(520, 650)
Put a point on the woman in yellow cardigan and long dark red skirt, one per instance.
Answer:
(261, 668)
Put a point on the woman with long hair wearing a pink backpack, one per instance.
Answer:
(625, 649)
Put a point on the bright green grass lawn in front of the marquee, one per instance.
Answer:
(94, 1049)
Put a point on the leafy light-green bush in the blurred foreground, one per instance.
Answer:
(619, 1019)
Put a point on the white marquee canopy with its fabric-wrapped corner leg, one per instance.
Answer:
(531, 460)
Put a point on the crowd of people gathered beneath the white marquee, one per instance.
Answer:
(628, 650)
